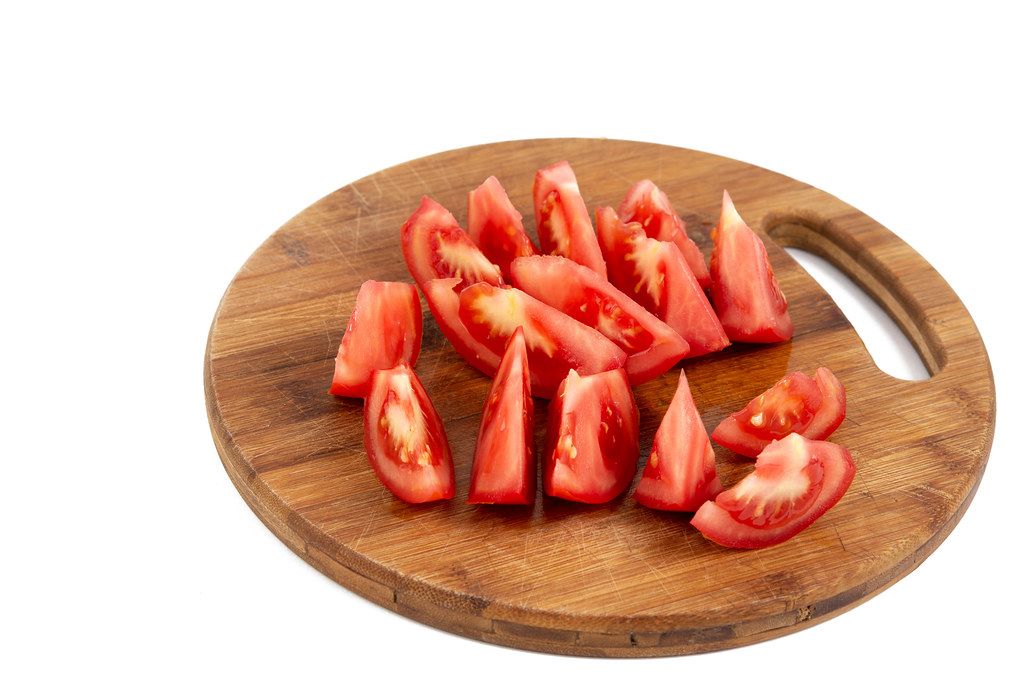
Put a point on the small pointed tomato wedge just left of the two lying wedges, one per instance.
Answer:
(680, 474)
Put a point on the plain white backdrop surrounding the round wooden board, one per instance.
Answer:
(145, 153)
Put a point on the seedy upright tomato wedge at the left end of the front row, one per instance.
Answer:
(405, 439)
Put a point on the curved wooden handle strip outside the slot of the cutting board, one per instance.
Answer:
(898, 278)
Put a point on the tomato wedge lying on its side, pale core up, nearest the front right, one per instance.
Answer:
(794, 483)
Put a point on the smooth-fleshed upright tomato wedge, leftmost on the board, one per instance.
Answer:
(385, 330)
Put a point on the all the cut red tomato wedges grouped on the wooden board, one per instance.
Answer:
(591, 315)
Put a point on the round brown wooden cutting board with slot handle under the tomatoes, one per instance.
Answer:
(615, 580)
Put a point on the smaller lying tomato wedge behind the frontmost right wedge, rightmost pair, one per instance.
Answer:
(795, 404)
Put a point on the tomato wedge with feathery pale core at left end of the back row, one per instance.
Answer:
(436, 247)
